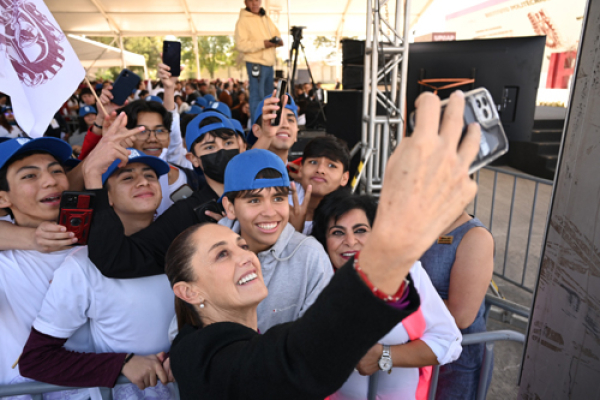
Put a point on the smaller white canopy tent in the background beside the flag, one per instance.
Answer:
(99, 55)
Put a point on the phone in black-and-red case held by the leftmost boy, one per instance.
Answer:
(76, 212)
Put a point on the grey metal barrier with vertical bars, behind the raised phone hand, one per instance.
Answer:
(516, 218)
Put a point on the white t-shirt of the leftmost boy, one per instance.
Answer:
(25, 277)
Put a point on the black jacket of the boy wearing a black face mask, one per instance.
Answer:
(143, 253)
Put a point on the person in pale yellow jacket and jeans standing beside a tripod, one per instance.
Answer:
(256, 37)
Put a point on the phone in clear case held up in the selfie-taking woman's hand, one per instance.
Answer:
(480, 108)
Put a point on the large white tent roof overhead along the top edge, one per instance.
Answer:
(119, 18)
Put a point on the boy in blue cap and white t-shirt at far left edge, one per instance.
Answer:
(31, 183)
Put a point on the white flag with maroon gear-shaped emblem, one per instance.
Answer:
(38, 68)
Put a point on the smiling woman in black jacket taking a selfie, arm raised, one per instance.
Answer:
(220, 355)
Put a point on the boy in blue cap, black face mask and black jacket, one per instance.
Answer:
(211, 142)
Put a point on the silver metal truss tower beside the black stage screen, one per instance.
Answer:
(385, 71)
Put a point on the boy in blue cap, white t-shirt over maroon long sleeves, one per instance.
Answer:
(80, 296)
